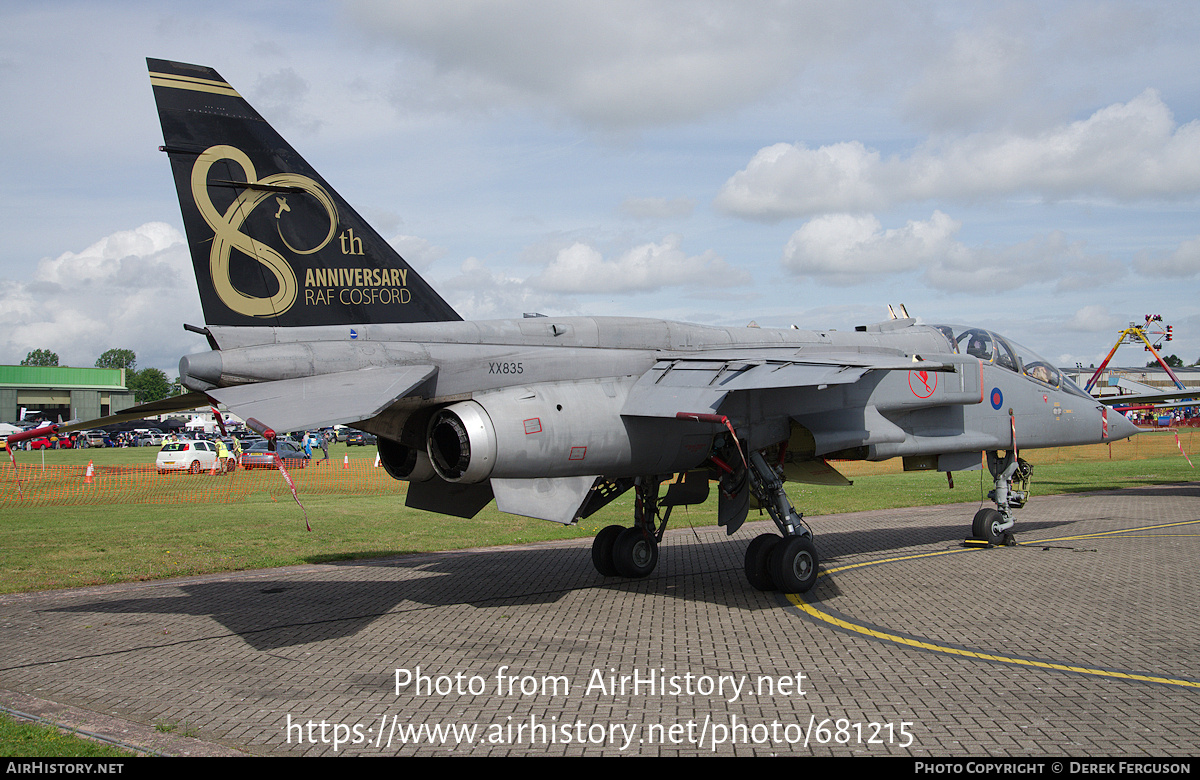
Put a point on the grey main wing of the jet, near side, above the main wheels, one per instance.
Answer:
(700, 383)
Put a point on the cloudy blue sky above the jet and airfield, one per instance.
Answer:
(1031, 167)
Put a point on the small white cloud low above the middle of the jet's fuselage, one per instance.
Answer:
(583, 269)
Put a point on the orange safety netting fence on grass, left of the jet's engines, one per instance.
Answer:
(35, 485)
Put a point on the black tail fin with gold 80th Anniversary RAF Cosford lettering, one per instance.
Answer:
(272, 243)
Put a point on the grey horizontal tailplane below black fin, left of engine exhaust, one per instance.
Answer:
(325, 400)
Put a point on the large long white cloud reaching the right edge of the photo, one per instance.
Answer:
(1127, 152)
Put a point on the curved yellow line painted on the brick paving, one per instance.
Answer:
(925, 645)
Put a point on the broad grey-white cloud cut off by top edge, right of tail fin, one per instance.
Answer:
(619, 64)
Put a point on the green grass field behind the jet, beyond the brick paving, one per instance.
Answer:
(63, 545)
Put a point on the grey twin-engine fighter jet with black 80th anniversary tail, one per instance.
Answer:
(315, 321)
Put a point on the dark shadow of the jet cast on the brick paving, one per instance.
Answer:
(274, 613)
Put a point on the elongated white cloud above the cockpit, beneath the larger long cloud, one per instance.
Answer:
(844, 250)
